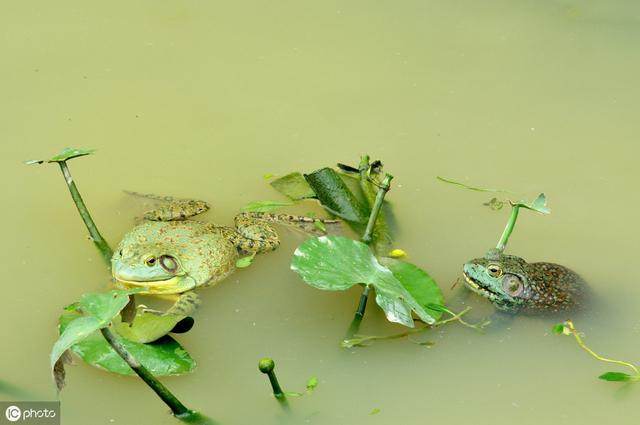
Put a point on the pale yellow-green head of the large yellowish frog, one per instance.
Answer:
(152, 266)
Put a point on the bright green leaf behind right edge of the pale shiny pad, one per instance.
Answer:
(419, 284)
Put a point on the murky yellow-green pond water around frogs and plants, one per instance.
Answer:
(201, 99)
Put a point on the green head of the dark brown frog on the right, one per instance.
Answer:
(500, 278)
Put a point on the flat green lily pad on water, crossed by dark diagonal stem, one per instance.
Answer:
(163, 357)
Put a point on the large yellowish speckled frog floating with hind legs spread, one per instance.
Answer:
(167, 254)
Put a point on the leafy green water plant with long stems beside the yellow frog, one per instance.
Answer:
(97, 312)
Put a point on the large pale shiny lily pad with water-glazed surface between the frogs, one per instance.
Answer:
(336, 263)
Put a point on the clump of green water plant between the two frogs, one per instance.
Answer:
(337, 263)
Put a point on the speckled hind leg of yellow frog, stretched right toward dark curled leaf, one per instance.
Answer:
(255, 235)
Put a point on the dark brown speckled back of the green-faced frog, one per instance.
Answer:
(554, 289)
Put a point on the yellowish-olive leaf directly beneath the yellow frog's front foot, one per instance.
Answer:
(147, 326)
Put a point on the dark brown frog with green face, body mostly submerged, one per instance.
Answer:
(513, 285)
